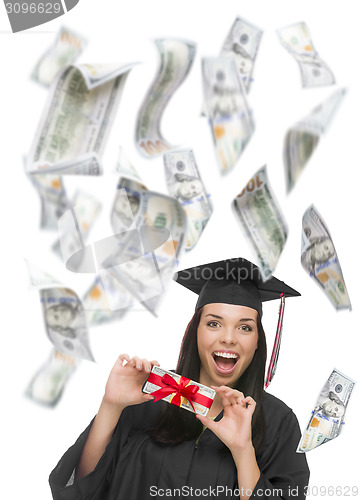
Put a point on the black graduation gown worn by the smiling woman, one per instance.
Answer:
(134, 467)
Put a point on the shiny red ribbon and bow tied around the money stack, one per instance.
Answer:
(168, 385)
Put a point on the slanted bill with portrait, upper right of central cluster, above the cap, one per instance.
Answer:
(185, 184)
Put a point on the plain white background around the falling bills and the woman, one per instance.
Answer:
(315, 337)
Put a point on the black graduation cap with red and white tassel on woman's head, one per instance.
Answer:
(238, 281)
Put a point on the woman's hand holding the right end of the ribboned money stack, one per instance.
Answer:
(234, 429)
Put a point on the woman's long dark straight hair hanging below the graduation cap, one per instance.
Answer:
(174, 426)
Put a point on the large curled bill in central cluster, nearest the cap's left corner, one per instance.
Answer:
(144, 259)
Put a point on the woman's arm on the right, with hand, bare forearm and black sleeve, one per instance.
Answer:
(279, 472)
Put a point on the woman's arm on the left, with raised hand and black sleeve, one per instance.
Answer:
(94, 455)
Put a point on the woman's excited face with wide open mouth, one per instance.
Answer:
(227, 339)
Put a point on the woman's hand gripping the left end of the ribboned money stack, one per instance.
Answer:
(125, 381)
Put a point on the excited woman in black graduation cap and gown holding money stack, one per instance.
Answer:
(245, 447)
